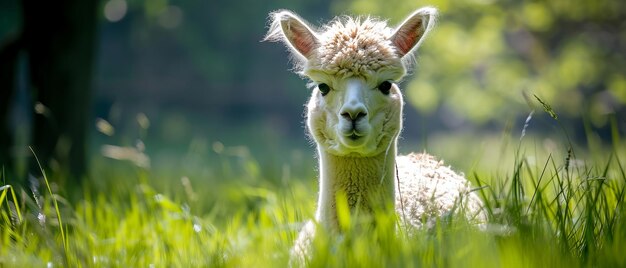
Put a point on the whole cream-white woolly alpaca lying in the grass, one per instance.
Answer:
(355, 116)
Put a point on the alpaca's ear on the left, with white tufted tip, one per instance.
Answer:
(293, 31)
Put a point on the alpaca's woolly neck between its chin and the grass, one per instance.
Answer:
(367, 182)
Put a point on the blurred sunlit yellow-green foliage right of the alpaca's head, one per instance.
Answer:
(484, 54)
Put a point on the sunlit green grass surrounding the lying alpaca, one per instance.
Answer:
(563, 208)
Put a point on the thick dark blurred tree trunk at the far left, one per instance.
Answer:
(58, 38)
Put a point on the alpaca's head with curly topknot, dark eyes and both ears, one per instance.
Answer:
(354, 66)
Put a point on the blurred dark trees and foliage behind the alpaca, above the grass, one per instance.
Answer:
(177, 87)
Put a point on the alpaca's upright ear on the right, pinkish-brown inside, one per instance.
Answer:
(410, 33)
